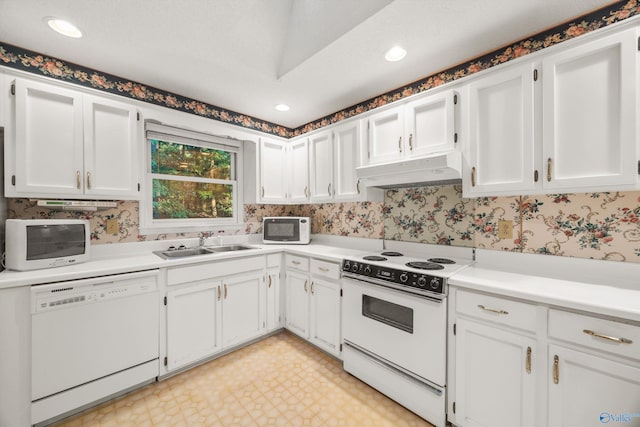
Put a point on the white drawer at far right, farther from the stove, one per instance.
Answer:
(601, 334)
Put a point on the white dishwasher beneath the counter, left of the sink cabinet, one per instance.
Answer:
(92, 338)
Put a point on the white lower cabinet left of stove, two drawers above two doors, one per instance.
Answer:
(313, 301)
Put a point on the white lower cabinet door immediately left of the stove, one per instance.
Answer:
(325, 315)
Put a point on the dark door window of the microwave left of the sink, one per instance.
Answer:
(53, 241)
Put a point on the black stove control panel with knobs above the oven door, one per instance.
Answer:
(426, 282)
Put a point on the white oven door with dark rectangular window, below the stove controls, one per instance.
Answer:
(402, 328)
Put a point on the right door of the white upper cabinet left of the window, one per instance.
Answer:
(110, 148)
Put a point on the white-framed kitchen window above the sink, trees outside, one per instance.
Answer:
(192, 180)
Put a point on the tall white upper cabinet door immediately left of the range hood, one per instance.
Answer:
(347, 144)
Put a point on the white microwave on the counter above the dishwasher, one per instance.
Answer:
(32, 244)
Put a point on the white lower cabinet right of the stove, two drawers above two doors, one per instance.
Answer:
(520, 363)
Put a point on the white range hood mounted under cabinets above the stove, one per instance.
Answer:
(436, 169)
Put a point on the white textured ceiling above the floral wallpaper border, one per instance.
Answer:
(318, 56)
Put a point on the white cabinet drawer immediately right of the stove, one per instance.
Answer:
(495, 309)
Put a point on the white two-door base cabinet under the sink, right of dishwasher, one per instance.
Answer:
(211, 307)
